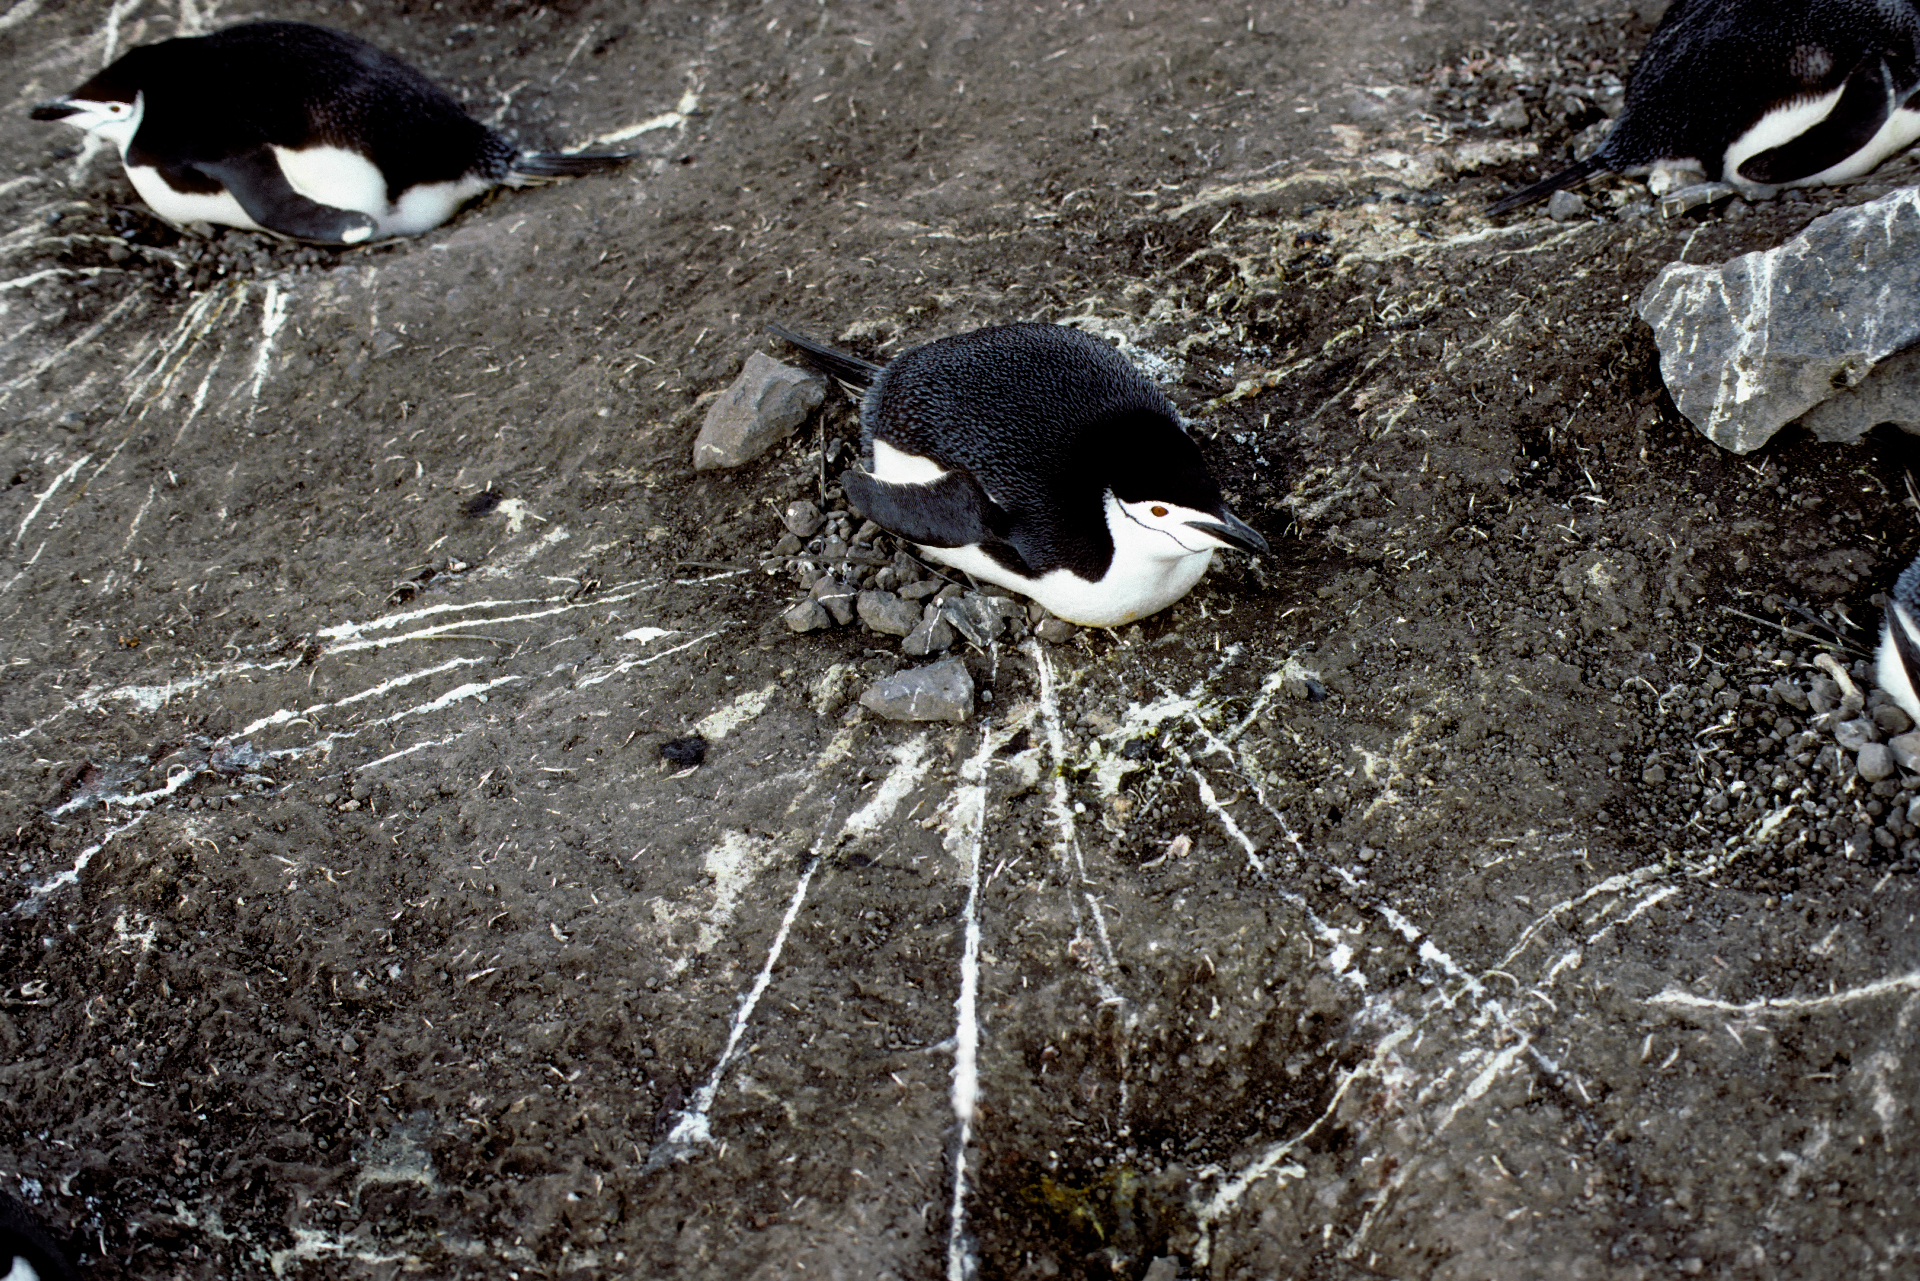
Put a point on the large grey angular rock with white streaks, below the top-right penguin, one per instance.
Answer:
(1756, 343)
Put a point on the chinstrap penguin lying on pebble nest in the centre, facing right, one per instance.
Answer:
(1038, 458)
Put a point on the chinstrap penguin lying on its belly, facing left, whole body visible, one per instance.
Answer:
(300, 132)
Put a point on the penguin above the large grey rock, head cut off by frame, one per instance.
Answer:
(1764, 95)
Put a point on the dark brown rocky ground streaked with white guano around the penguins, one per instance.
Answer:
(1514, 875)
